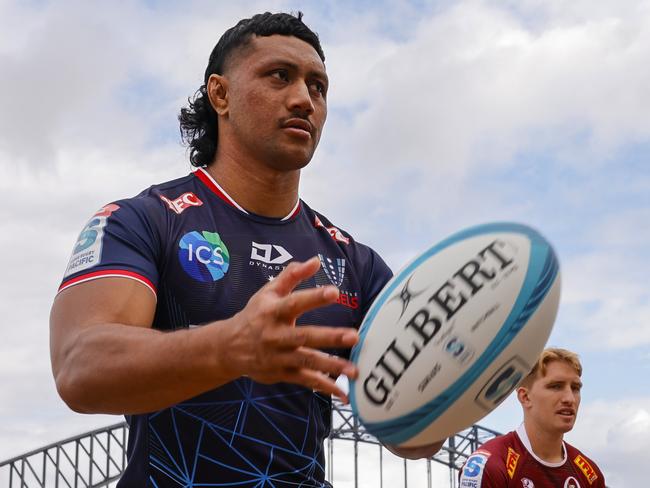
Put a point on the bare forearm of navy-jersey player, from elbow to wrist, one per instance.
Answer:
(120, 369)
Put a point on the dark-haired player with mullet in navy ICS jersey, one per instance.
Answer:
(215, 311)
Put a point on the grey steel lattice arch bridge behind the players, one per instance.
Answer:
(98, 458)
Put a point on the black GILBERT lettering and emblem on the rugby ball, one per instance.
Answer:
(424, 324)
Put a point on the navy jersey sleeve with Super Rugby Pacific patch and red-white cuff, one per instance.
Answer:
(118, 241)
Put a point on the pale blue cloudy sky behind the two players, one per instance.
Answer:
(443, 114)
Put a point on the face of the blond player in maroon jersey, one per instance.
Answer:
(553, 399)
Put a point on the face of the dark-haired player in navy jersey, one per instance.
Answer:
(276, 101)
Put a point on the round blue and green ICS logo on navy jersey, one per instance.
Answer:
(203, 255)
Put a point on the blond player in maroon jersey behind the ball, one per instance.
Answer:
(535, 454)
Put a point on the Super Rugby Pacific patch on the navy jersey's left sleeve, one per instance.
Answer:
(87, 251)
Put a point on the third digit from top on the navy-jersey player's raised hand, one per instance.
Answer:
(314, 336)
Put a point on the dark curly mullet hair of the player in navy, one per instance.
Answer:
(198, 121)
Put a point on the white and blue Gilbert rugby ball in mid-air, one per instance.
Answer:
(454, 332)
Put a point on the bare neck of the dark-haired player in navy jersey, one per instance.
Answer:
(256, 187)
